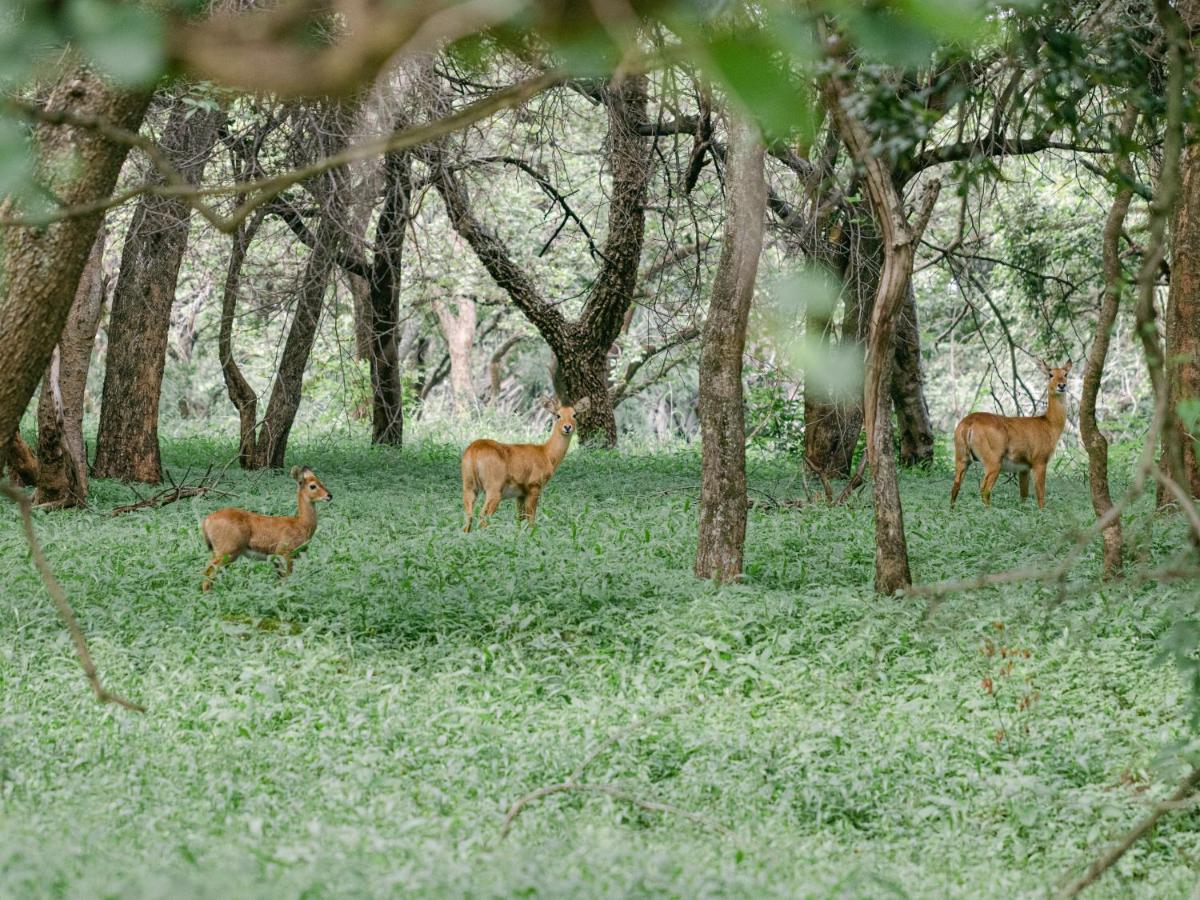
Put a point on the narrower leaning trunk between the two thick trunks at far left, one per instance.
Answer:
(63, 459)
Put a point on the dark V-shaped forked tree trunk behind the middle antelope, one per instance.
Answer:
(580, 347)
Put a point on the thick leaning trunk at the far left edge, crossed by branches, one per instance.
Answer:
(41, 265)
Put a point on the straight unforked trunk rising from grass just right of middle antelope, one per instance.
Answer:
(723, 485)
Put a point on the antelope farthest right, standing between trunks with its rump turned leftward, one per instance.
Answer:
(1013, 443)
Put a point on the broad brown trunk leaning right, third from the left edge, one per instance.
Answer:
(140, 323)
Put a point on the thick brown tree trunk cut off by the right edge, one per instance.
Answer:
(1184, 325)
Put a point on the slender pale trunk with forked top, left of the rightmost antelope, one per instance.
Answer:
(901, 242)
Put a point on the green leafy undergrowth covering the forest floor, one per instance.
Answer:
(363, 727)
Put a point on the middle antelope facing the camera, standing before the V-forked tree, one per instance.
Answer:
(518, 471)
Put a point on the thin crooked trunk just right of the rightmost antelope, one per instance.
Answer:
(1095, 442)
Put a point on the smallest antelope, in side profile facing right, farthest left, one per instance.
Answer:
(233, 532)
